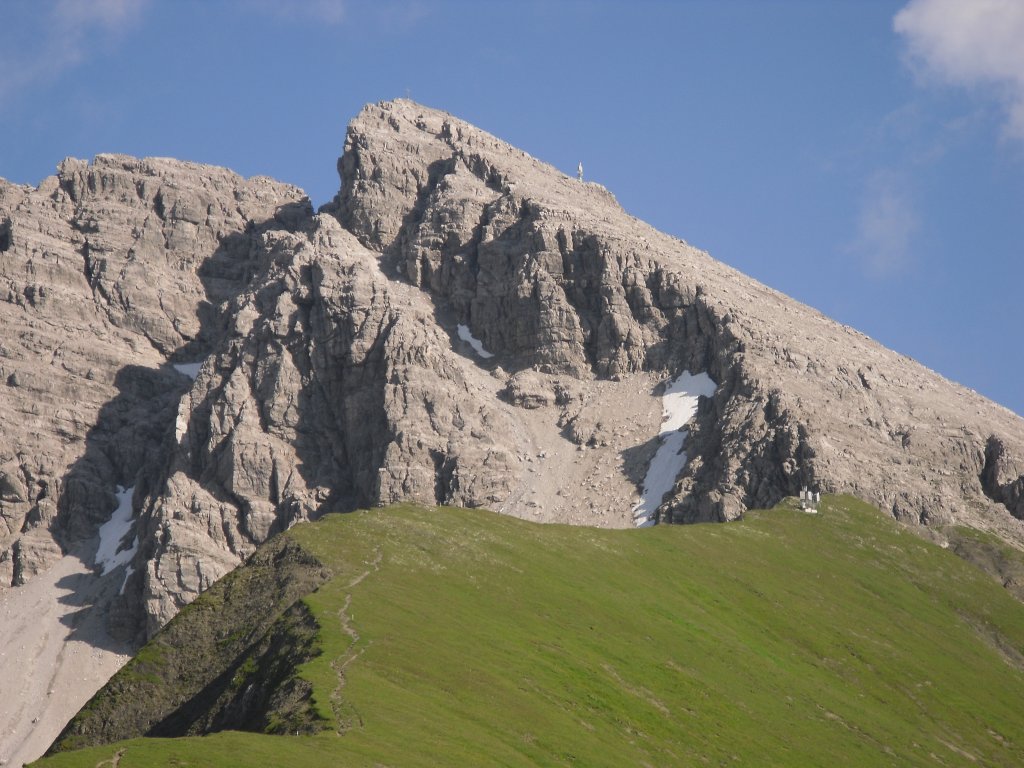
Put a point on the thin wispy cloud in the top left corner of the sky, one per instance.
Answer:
(60, 35)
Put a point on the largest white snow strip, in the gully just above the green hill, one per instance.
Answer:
(679, 406)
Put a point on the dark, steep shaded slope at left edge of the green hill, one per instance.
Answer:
(227, 662)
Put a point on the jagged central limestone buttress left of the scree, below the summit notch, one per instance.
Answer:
(333, 389)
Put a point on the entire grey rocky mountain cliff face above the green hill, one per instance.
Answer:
(464, 325)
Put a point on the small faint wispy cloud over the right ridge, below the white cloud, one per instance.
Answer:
(886, 227)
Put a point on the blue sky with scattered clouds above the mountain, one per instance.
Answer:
(866, 157)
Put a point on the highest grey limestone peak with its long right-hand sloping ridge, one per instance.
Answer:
(551, 274)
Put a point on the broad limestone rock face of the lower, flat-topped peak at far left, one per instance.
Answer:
(108, 272)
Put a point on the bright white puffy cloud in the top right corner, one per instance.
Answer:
(972, 44)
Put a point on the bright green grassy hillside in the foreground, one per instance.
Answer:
(457, 637)
